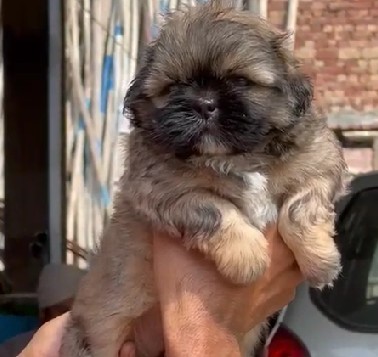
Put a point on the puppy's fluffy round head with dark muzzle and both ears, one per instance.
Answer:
(217, 82)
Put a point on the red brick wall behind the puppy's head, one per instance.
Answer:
(337, 40)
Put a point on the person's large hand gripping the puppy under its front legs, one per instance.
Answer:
(196, 301)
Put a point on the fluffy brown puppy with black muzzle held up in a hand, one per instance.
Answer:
(225, 140)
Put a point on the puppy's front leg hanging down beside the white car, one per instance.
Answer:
(306, 223)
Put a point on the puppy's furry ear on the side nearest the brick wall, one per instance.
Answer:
(296, 85)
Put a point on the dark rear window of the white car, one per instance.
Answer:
(353, 301)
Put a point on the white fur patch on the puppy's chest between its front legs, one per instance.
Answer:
(259, 204)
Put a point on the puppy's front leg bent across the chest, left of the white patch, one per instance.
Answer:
(215, 227)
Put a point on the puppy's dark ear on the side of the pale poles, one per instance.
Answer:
(135, 98)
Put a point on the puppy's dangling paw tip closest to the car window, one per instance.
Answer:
(320, 264)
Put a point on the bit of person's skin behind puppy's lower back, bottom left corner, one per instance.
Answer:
(46, 341)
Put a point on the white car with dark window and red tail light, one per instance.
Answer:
(343, 321)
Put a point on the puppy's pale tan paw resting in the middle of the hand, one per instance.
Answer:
(241, 253)
